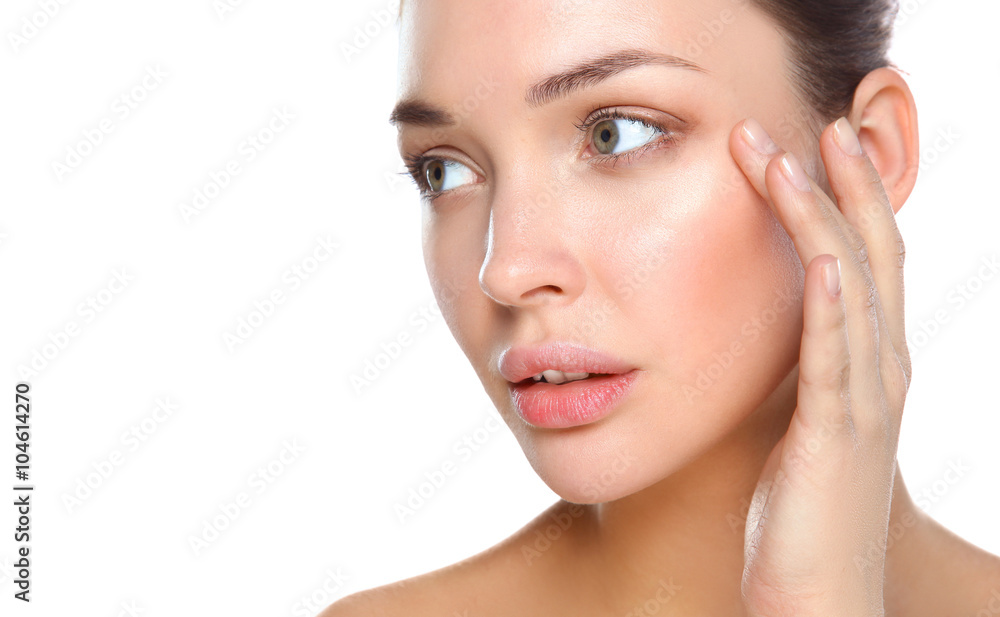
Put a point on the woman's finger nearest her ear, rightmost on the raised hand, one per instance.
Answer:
(862, 200)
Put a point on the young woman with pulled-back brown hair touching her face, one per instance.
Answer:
(663, 234)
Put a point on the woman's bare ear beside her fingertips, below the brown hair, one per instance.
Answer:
(884, 116)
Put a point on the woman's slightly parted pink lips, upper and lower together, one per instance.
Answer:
(575, 403)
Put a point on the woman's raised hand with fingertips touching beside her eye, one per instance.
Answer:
(825, 490)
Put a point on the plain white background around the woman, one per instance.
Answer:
(330, 174)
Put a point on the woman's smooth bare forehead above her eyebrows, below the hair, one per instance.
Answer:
(447, 47)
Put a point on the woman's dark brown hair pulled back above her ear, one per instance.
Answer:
(833, 44)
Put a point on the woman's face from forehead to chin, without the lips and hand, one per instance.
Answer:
(665, 258)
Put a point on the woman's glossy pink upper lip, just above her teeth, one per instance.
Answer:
(519, 363)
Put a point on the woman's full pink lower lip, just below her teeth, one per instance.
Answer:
(575, 403)
